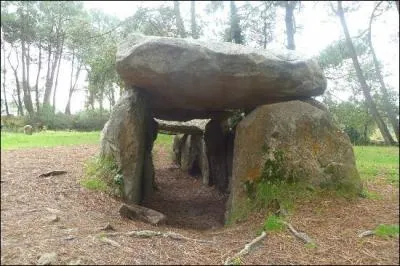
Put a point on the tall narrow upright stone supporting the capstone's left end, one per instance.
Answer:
(124, 139)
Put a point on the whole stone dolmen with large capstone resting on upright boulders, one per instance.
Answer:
(262, 122)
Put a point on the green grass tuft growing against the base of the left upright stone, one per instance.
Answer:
(103, 173)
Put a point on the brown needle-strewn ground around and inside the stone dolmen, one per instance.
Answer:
(29, 203)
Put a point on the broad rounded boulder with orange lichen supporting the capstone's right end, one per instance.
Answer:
(301, 142)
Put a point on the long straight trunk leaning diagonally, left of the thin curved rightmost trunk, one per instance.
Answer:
(366, 90)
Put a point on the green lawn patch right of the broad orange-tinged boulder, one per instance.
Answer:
(373, 161)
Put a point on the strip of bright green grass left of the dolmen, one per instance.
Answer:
(47, 139)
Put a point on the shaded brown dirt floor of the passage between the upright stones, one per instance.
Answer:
(183, 198)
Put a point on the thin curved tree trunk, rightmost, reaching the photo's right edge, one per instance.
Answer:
(386, 103)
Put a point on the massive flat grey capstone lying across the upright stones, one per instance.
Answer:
(191, 78)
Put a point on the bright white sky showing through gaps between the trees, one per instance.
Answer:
(318, 31)
